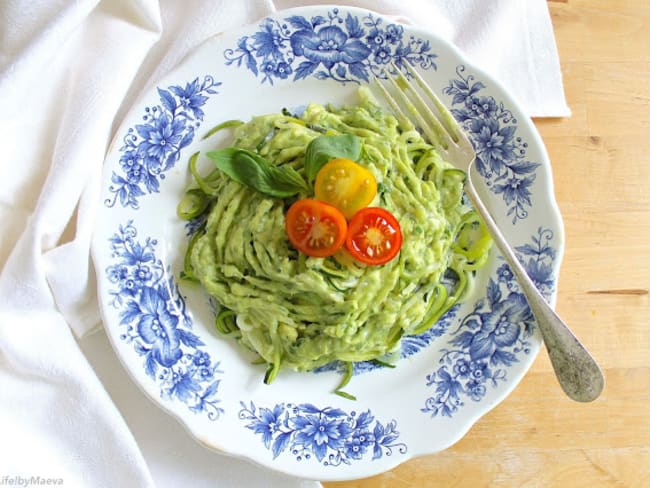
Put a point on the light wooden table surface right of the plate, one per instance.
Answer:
(601, 167)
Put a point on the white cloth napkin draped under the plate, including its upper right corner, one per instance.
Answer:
(69, 71)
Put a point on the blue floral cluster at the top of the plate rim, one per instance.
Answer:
(330, 47)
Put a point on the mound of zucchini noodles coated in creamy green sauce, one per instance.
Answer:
(301, 312)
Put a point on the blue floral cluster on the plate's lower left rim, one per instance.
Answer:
(155, 322)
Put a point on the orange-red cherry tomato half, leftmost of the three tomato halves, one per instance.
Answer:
(315, 228)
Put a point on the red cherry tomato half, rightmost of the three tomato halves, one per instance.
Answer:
(374, 236)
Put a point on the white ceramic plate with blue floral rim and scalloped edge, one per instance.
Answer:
(164, 333)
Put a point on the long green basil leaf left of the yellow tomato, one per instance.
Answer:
(254, 171)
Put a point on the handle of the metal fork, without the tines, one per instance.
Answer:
(576, 370)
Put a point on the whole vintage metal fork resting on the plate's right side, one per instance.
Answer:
(576, 370)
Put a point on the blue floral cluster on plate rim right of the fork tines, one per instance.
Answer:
(500, 154)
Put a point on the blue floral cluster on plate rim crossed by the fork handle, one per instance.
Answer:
(494, 335)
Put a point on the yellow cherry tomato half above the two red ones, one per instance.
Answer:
(346, 185)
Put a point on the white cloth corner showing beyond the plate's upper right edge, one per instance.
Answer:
(512, 41)
